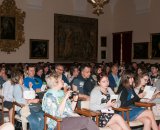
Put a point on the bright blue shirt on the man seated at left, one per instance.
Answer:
(37, 82)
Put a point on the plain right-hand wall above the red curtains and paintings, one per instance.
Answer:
(139, 16)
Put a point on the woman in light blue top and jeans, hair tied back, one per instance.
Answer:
(35, 116)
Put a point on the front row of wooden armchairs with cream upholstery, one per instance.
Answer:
(84, 110)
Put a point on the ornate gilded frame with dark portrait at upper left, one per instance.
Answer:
(11, 26)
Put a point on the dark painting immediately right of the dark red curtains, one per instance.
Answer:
(140, 50)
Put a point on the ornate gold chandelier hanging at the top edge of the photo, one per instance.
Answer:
(98, 5)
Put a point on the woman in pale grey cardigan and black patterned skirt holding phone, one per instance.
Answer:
(100, 101)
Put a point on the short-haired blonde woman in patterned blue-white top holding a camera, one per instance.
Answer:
(57, 103)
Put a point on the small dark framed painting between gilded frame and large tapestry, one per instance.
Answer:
(39, 49)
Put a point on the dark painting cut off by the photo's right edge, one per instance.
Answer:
(155, 45)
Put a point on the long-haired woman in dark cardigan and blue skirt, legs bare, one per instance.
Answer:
(129, 97)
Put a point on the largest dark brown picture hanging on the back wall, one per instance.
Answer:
(75, 38)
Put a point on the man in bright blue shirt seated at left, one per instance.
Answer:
(31, 79)
